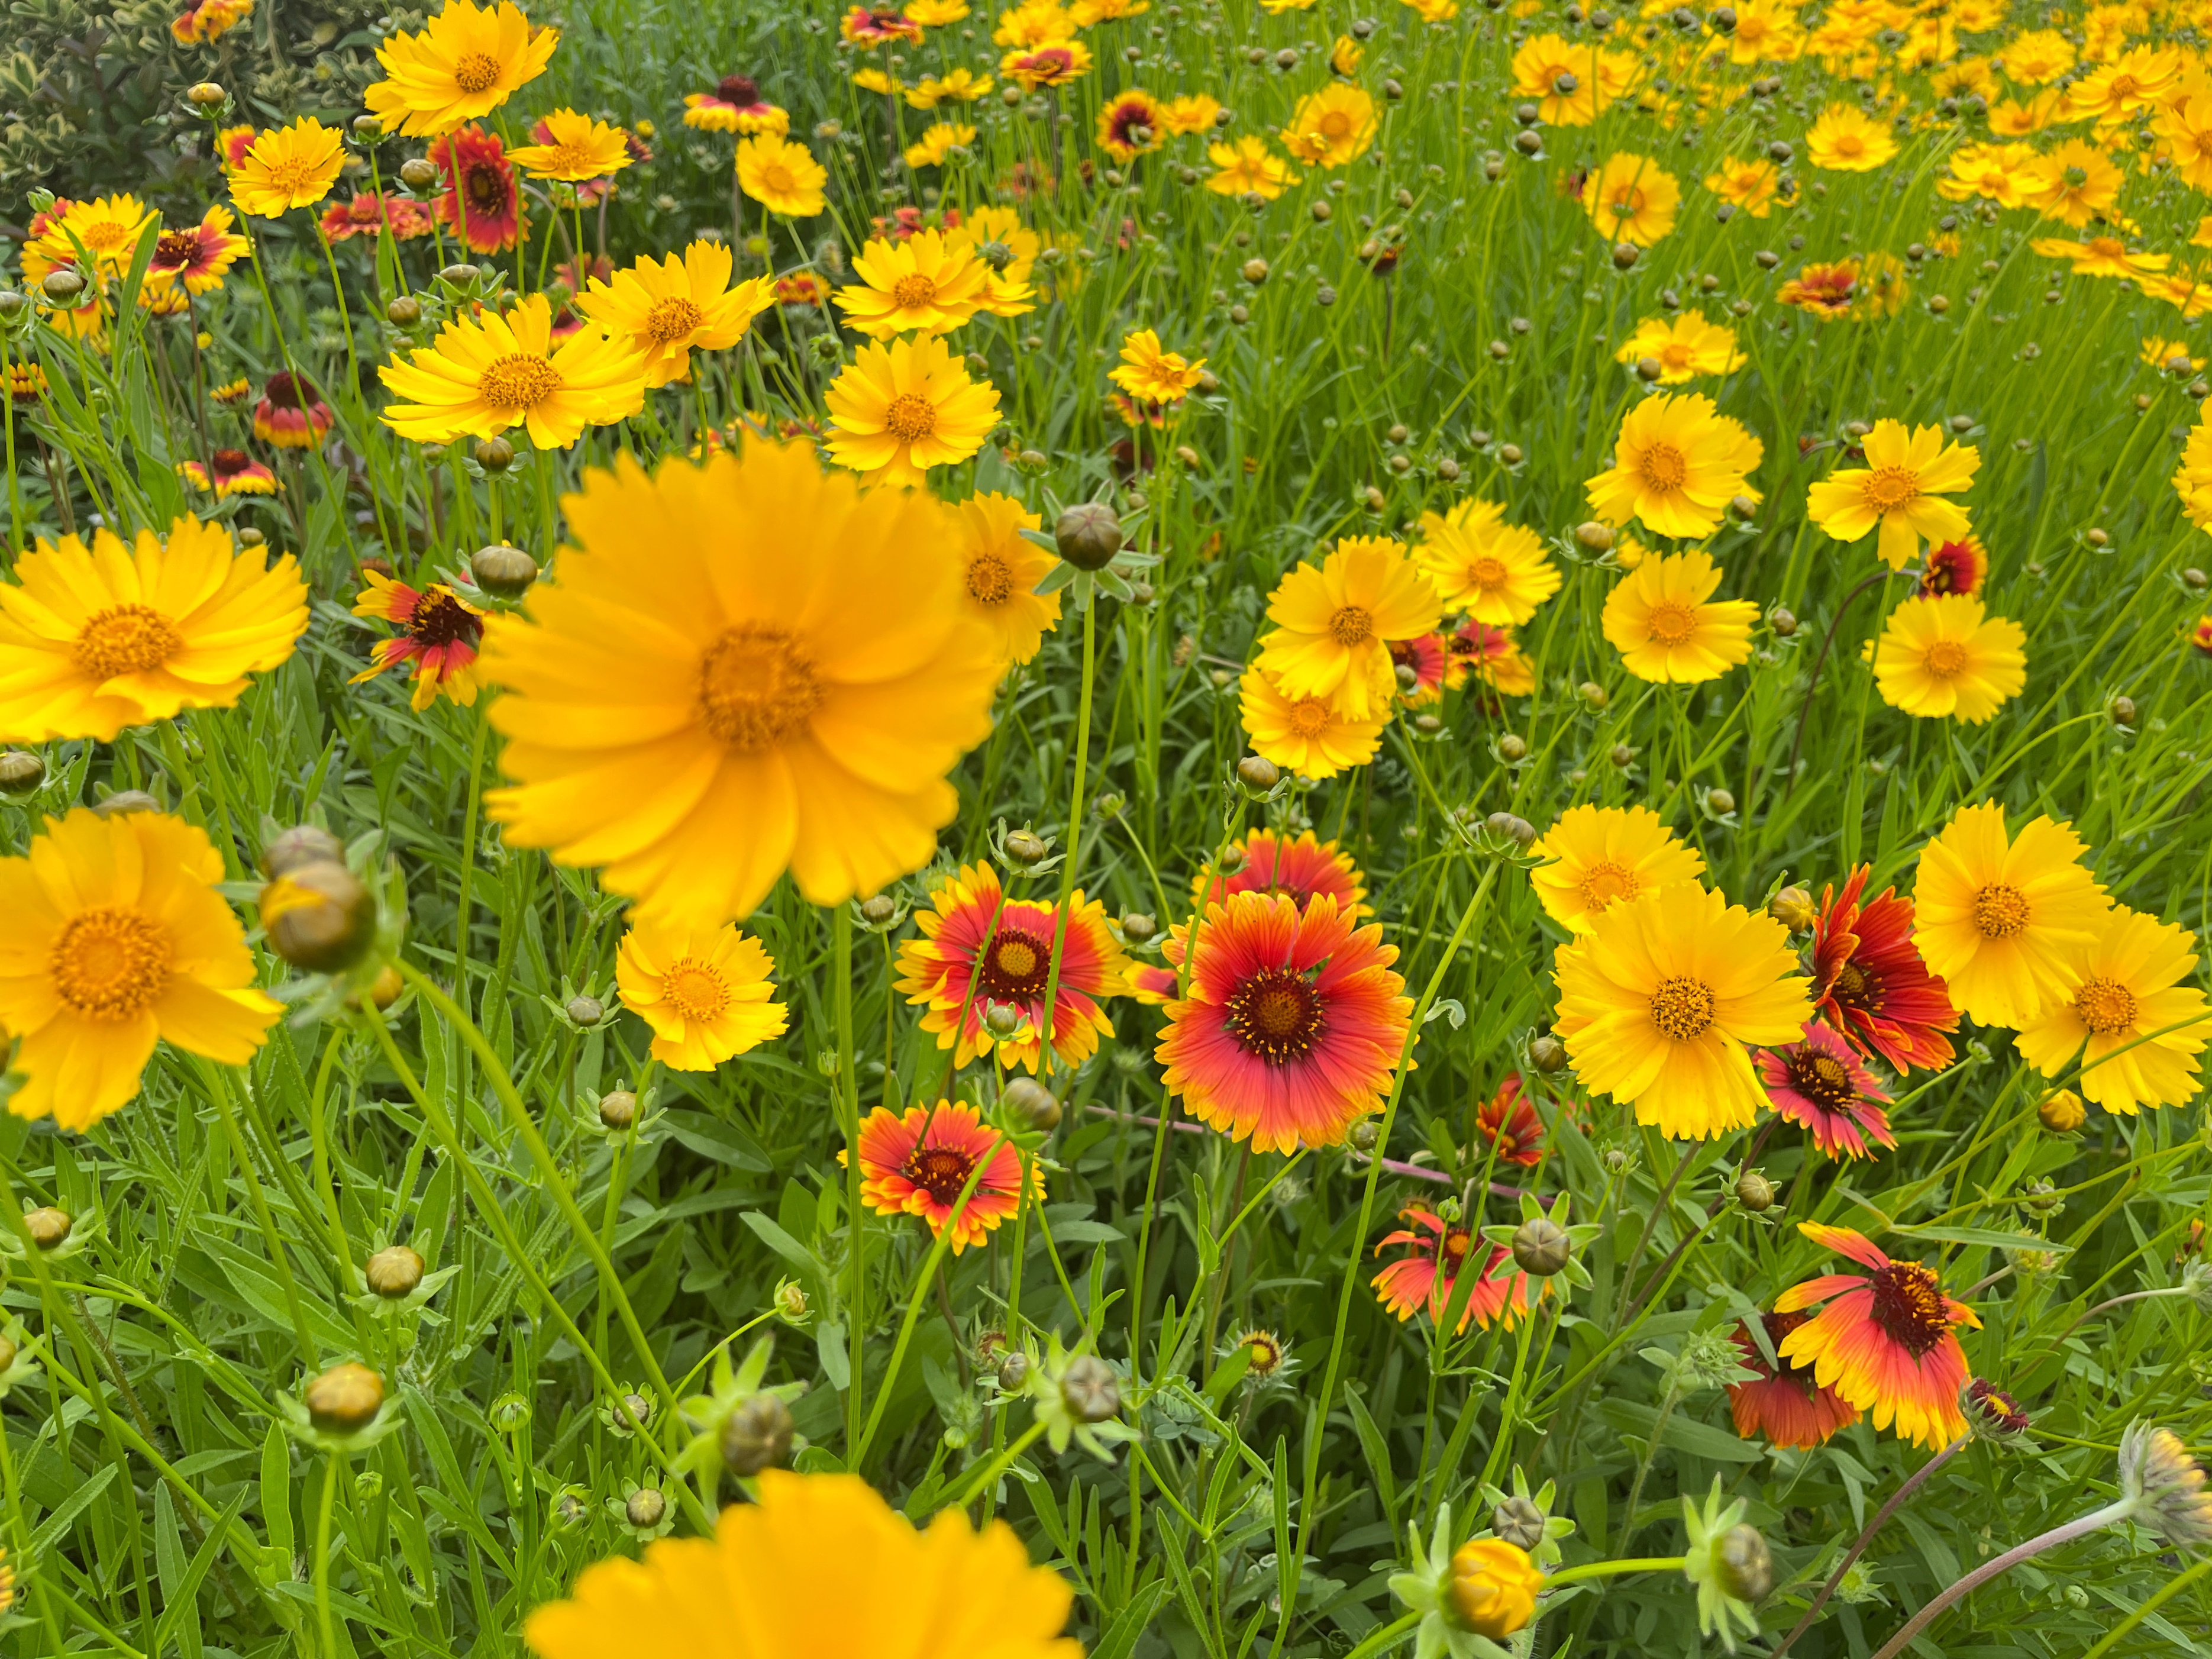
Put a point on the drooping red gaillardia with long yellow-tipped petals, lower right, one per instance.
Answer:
(1886, 1342)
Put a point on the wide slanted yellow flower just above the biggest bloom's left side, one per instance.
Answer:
(505, 371)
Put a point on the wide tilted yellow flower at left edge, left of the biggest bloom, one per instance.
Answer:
(134, 634)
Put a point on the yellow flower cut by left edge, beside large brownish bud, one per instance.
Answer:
(112, 939)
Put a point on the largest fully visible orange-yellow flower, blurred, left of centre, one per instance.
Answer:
(740, 669)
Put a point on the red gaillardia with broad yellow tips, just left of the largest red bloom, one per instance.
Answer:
(981, 952)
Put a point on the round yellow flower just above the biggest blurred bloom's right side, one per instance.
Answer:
(906, 408)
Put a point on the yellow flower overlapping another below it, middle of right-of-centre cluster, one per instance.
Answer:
(1337, 620)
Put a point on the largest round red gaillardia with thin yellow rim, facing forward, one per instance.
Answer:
(1293, 1025)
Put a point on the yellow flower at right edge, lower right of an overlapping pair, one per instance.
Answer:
(2129, 997)
